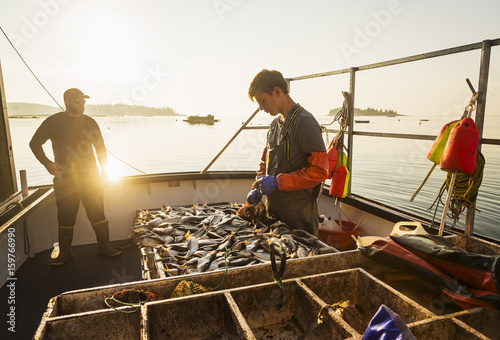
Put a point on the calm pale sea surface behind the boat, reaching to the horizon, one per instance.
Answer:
(384, 169)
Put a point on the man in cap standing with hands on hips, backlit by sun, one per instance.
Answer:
(74, 136)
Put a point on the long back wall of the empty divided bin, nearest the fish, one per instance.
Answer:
(90, 299)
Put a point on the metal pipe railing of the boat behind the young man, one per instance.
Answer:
(485, 47)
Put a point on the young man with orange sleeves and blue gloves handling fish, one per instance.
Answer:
(294, 162)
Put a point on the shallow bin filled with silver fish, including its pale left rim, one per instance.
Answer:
(169, 259)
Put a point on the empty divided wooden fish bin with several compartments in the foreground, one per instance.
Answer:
(250, 306)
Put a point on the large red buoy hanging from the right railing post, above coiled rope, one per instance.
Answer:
(461, 148)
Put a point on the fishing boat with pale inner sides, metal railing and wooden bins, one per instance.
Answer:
(250, 302)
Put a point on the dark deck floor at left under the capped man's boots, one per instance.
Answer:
(84, 270)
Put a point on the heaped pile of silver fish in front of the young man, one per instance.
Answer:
(209, 237)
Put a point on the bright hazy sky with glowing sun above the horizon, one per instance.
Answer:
(199, 56)
